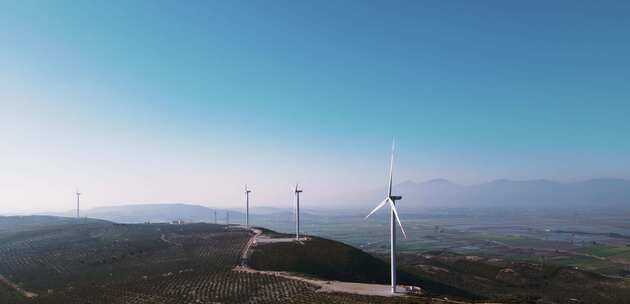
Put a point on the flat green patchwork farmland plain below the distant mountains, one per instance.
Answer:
(596, 241)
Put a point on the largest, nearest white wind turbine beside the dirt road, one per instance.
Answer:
(391, 199)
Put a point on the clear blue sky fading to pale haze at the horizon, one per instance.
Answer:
(171, 101)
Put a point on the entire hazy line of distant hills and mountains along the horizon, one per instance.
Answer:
(417, 197)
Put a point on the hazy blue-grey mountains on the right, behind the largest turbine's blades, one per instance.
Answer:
(441, 193)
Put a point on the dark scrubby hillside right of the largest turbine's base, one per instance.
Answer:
(518, 282)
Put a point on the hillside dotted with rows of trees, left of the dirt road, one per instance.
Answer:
(104, 263)
